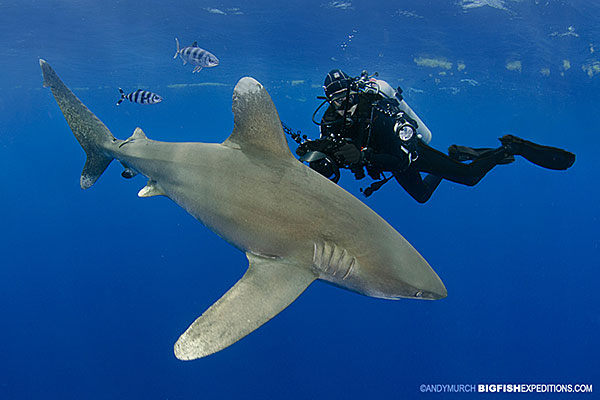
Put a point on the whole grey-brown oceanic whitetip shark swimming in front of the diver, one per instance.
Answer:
(294, 225)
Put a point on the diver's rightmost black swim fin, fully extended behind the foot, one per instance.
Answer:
(544, 156)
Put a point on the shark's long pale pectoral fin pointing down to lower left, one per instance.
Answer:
(267, 287)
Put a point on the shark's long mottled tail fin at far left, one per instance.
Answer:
(92, 134)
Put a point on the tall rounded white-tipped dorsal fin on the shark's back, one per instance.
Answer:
(257, 127)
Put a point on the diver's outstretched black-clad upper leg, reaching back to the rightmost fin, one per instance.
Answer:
(437, 163)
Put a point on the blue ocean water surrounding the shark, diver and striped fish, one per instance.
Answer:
(97, 285)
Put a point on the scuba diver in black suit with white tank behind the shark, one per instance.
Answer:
(368, 126)
